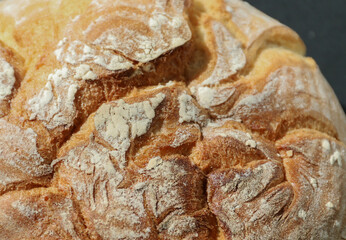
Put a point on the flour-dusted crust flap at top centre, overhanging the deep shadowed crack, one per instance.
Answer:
(163, 28)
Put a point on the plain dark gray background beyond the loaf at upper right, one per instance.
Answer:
(322, 26)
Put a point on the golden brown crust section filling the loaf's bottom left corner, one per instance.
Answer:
(40, 214)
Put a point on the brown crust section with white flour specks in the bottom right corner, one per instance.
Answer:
(318, 179)
